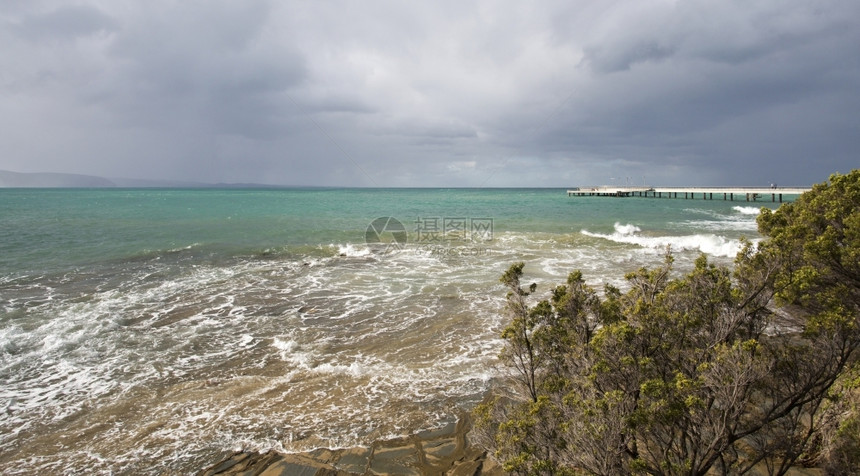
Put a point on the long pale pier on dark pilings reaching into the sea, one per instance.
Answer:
(750, 194)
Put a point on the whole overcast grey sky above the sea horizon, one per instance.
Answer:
(443, 93)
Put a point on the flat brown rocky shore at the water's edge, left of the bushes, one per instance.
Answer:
(445, 451)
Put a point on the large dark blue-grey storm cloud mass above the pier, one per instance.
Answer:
(724, 96)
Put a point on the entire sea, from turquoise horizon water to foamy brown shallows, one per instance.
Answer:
(150, 330)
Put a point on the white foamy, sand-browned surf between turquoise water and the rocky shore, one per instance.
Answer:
(415, 329)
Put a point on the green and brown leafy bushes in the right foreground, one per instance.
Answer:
(699, 373)
